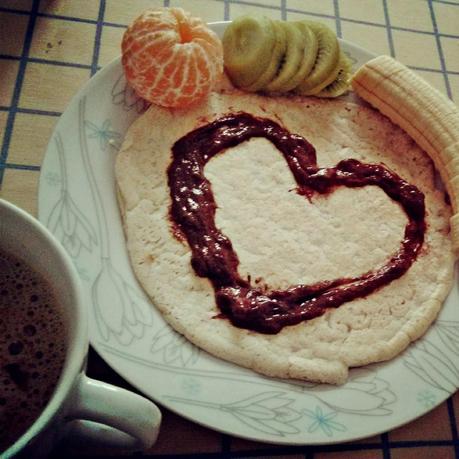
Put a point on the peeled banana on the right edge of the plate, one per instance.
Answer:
(430, 118)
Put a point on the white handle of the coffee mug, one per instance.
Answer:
(104, 414)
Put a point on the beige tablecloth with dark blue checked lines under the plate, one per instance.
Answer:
(50, 48)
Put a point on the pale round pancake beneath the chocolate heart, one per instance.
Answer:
(283, 239)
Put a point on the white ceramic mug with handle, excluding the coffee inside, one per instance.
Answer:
(80, 407)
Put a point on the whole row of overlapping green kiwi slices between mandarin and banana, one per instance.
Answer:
(273, 56)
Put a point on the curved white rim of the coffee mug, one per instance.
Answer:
(77, 348)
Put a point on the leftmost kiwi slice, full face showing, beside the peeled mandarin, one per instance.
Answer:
(247, 48)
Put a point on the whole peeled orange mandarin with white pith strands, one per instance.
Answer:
(171, 58)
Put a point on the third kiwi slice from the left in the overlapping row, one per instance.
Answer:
(292, 59)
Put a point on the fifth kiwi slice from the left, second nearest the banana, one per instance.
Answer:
(325, 68)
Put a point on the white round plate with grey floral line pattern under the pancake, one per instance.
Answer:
(77, 202)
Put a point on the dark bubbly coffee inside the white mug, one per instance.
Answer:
(32, 346)
